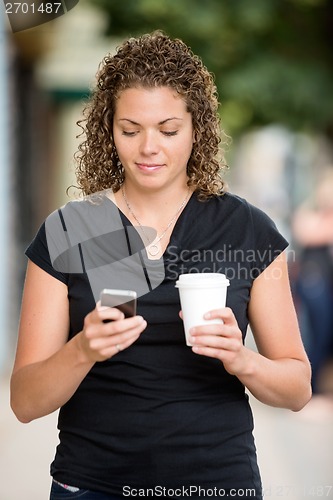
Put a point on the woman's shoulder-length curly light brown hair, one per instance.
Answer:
(150, 61)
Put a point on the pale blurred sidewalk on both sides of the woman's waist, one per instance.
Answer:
(295, 453)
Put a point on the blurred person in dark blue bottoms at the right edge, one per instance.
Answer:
(313, 233)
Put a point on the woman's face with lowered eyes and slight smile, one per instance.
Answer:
(153, 135)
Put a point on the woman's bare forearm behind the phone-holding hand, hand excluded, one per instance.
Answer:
(40, 388)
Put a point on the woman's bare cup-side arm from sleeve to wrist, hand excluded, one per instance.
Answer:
(280, 374)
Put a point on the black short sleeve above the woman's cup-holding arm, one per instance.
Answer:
(268, 241)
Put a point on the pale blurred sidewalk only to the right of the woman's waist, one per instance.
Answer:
(295, 453)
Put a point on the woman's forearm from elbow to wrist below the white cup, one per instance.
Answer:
(283, 383)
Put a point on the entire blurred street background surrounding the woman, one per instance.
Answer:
(273, 64)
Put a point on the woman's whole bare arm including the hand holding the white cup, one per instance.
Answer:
(279, 374)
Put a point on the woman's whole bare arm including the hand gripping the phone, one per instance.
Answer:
(48, 369)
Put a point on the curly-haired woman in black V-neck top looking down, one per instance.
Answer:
(140, 412)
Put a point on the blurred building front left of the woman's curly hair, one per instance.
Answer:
(45, 74)
